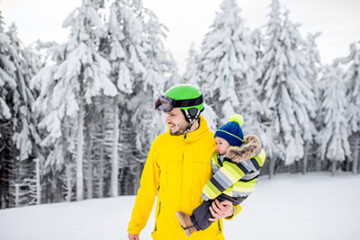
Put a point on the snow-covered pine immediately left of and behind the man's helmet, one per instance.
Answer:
(160, 69)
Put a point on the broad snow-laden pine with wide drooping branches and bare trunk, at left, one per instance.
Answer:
(68, 86)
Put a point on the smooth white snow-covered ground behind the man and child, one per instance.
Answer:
(289, 207)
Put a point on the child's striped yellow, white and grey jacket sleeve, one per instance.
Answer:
(226, 176)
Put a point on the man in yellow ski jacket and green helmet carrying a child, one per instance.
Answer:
(176, 170)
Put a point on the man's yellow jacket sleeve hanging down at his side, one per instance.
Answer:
(144, 202)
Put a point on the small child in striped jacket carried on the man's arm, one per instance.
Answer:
(236, 166)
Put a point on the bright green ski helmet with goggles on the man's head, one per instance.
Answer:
(186, 97)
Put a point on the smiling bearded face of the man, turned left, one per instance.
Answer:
(176, 121)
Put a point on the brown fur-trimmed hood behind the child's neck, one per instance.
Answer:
(252, 144)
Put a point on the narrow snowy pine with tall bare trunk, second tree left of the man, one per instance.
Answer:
(118, 44)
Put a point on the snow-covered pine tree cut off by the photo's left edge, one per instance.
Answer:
(19, 136)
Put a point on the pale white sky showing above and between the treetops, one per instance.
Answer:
(189, 20)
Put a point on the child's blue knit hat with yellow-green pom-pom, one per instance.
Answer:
(232, 131)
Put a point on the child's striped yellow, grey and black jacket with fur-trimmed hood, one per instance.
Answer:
(236, 173)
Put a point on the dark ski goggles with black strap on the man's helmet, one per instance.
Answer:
(167, 104)
